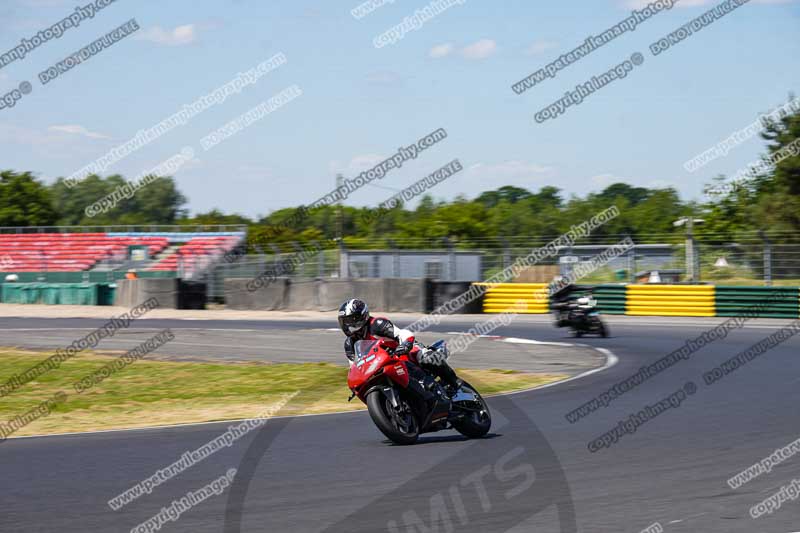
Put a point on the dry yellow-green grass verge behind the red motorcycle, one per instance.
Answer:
(152, 392)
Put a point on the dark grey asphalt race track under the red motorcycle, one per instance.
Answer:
(535, 472)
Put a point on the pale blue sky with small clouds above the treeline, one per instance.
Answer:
(360, 103)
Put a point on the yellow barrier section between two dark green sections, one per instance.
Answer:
(670, 300)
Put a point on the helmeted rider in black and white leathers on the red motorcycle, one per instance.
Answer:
(357, 325)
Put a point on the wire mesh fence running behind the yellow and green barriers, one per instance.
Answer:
(751, 260)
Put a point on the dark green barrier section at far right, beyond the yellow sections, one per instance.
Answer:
(784, 302)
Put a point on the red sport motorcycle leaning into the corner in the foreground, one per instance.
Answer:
(404, 401)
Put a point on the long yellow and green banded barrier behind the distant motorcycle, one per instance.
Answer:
(653, 300)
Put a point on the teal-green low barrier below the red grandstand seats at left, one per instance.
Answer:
(57, 293)
